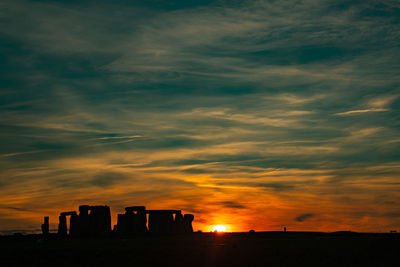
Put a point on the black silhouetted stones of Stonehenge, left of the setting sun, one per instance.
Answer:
(96, 221)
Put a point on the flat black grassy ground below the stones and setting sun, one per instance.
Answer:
(204, 249)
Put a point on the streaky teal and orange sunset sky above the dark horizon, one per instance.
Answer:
(251, 114)
